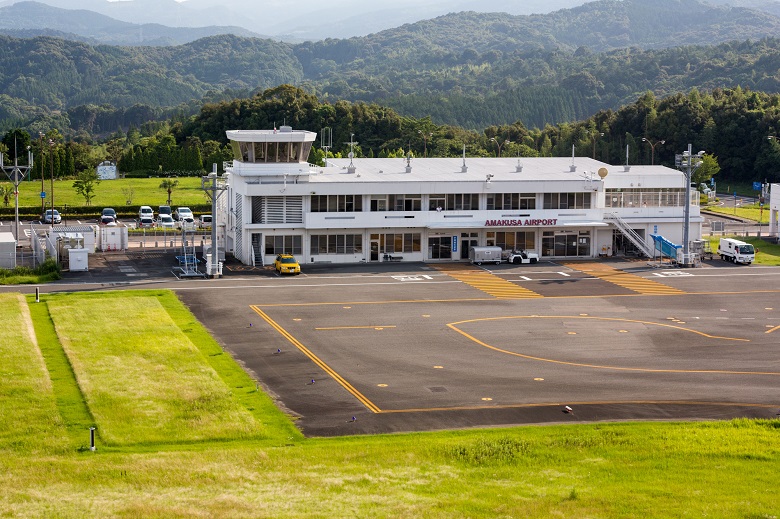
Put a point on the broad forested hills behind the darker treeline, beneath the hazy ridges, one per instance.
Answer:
(467, 69)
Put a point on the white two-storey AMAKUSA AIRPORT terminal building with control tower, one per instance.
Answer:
(435, 209)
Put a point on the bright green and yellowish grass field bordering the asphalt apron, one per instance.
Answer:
(183, 432)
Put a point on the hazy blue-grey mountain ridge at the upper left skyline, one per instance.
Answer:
(29, 19)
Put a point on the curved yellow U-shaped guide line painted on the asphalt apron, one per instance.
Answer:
(454, 326)
